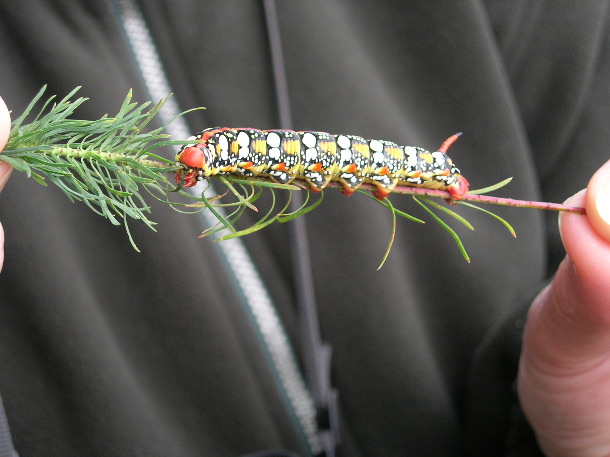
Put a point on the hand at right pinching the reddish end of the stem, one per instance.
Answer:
(564, 373)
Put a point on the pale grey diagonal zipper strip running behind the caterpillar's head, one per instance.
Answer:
(238, 261)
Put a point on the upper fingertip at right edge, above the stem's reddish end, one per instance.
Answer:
(597, 201)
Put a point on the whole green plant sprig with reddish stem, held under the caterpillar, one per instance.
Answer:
(108, 164)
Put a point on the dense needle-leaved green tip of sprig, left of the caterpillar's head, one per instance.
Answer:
(105, 163)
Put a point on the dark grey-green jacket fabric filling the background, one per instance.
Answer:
(108, 352)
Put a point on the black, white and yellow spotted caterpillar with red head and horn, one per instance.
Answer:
(318, 158)
